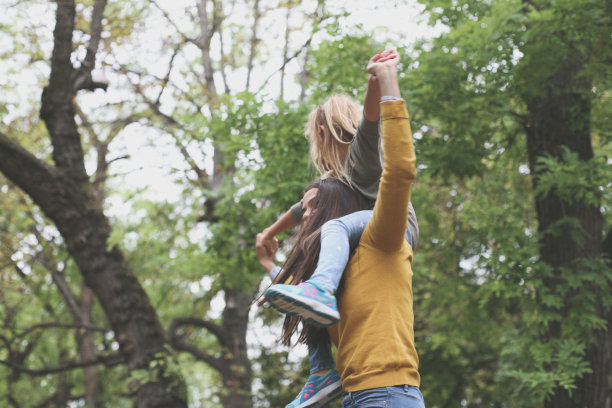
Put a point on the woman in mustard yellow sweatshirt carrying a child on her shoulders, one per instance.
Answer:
(377, 359)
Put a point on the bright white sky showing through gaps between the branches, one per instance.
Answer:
(386, 19)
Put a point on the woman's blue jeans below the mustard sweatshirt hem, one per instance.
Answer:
(399, 396)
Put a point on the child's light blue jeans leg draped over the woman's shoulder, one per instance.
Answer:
(338, 237)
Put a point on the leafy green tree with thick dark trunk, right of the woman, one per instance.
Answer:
(525, 83)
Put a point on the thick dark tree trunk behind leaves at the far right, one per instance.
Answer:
(562, 118)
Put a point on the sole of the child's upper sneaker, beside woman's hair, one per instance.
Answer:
(310, 310)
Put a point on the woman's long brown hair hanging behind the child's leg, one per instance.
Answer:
(334, 199)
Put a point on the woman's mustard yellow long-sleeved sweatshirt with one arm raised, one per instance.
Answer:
(375, 334)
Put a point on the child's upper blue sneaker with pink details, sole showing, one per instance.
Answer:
(307, 300)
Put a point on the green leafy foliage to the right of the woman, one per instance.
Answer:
(470, 91)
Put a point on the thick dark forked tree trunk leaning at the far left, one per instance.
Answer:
(66, 196)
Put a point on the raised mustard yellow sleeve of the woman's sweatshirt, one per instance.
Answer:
(386, 230)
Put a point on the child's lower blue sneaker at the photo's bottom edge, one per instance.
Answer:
(318, 391)
